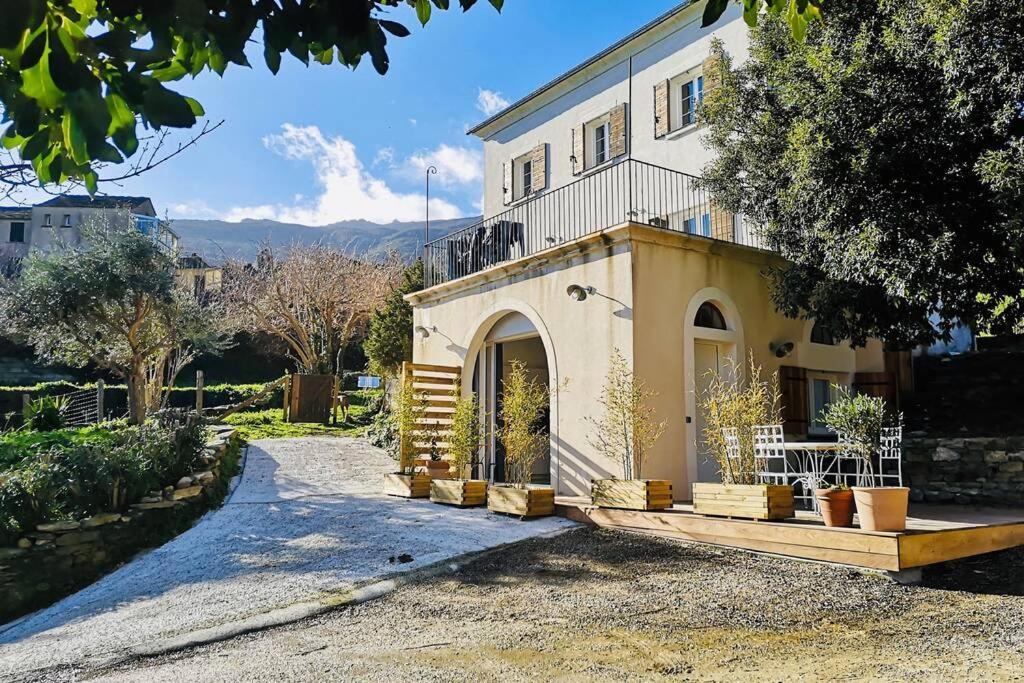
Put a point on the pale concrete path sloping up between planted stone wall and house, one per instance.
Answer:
(307, 523)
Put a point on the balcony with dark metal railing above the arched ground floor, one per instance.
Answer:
(629, 192)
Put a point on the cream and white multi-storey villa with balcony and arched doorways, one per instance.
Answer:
(598, 240)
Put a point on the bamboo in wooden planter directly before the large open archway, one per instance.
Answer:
(524, 403)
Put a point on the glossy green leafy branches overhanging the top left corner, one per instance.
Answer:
(77, 77)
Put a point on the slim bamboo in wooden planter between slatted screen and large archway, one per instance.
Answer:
(464, 441)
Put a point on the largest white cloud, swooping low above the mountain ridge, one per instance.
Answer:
(348, 190)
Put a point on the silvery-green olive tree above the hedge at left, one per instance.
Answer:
(112, 303)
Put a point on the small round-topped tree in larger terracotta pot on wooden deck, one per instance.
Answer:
(860, 420)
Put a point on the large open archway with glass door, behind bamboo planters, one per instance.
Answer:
(511, 338)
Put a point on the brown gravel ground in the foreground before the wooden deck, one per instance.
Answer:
(611, 606)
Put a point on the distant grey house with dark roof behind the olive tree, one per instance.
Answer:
(60, 221)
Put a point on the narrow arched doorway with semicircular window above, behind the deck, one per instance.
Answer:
(713, 346)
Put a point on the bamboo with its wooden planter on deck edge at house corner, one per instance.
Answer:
(626, 433)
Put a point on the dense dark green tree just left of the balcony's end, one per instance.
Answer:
(390, 341)
